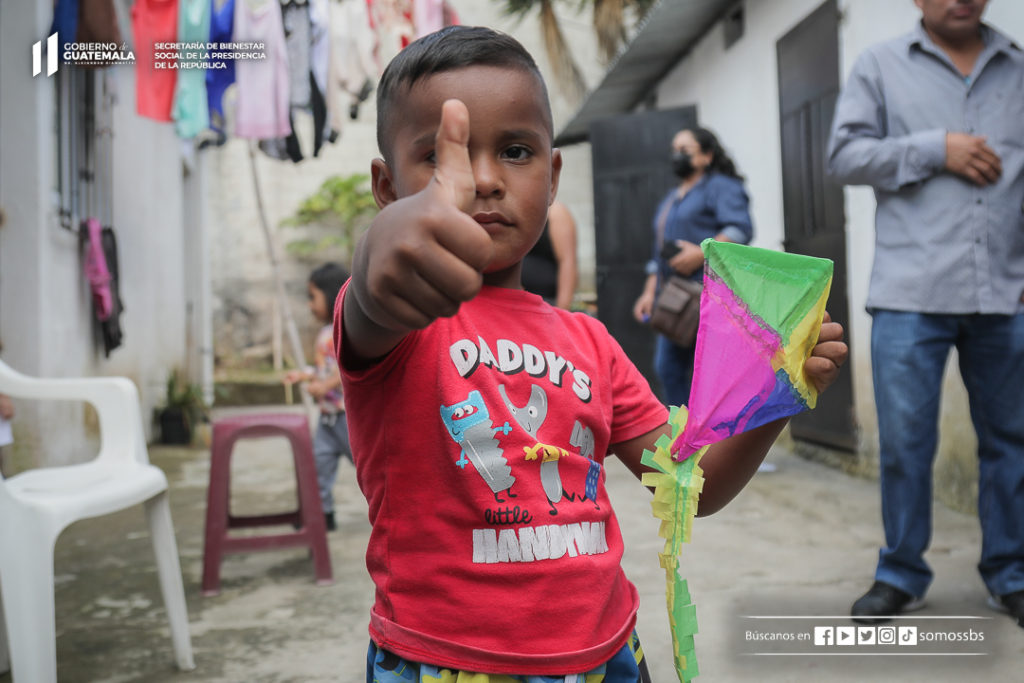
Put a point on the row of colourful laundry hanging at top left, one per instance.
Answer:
(291, 56)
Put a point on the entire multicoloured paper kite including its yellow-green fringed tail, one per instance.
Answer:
(760, 315)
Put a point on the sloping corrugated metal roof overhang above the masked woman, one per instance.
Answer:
(669, 31)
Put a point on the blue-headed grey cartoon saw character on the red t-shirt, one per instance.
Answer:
(470, 425)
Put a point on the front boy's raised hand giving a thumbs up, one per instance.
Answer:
(424, 255)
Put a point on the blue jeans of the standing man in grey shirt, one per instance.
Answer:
(909, 356)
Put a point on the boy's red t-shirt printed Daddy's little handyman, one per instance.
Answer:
(479, 444)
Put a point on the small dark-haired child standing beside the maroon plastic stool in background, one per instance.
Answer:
(324, 385)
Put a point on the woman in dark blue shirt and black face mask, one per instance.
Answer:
(710, 202)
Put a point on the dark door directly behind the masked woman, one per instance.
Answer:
(631, 170)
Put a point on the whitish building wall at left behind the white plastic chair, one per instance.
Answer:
(47, 326)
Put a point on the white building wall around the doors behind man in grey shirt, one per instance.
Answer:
(737, 93)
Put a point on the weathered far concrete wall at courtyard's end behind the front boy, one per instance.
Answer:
(242, 284)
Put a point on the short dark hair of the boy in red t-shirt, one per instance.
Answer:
(452, 48)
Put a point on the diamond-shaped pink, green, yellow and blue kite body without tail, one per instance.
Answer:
(760, 316)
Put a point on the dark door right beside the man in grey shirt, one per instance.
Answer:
(816, 223)
